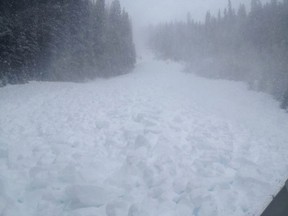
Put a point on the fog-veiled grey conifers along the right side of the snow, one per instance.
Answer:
(234, 44)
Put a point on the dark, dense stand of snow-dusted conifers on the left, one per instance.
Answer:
(63, 40)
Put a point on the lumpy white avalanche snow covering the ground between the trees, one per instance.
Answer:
(157, 142)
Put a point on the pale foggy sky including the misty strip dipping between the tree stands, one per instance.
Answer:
(146, 12)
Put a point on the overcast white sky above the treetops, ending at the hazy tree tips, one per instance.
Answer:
(147, 11)
